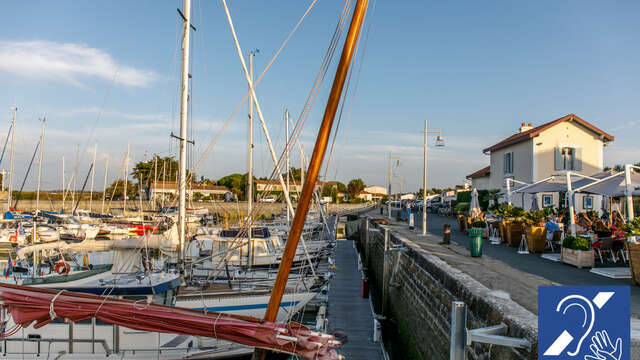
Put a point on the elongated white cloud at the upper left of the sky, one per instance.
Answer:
(68, 62)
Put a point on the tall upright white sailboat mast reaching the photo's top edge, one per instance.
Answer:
(184, 99)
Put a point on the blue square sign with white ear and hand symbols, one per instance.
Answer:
(584, 322)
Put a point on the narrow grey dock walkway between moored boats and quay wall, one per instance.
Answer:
(348, 312)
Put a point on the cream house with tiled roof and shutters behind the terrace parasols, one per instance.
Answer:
(535, 153)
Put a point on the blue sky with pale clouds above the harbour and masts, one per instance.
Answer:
(107, 73)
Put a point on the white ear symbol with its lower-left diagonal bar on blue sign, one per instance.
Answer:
(565, 339)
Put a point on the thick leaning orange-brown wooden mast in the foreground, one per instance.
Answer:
(316, 160)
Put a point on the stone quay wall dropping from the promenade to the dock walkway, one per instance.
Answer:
(414, 290)
